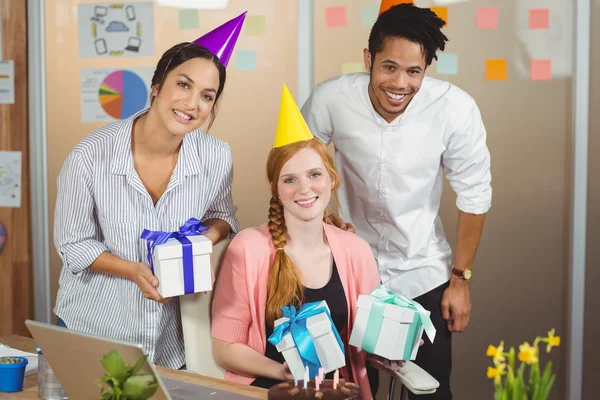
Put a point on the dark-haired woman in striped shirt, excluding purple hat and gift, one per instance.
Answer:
(153, 170)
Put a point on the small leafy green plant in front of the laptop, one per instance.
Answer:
(123, 382)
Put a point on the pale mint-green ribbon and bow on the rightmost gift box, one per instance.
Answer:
(382, 297)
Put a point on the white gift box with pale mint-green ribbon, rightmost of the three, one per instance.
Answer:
(390, 325)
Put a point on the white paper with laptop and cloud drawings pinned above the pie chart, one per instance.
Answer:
(109, 30)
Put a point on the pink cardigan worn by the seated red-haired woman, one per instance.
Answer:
(238, 314)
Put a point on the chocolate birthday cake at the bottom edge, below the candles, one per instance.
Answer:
(342, 391)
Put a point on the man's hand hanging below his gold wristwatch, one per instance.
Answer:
(456, 305)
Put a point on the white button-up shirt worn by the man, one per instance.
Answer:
(392, 173)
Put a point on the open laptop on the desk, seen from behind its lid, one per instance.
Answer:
(75, 358)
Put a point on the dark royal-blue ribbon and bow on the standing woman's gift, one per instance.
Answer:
(192, 227)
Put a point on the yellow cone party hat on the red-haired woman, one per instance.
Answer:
(291, 127)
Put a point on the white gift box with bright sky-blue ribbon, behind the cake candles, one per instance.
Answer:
(308, 338)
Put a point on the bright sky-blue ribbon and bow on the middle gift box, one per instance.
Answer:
(296, 325)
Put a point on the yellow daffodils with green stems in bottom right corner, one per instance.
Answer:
(527, 381)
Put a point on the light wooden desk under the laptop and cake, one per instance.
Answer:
(30, 386)
